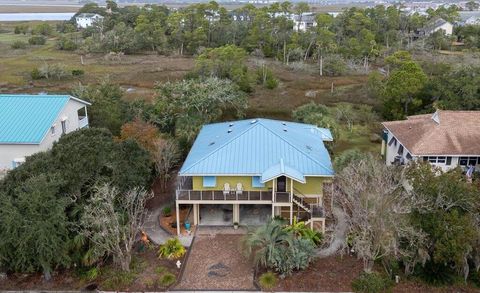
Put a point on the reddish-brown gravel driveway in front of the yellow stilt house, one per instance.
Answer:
(216, 262)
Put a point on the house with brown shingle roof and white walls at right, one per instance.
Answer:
(446, 139)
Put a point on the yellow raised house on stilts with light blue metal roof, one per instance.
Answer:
(249, 171)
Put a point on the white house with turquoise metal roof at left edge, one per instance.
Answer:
(31, 123)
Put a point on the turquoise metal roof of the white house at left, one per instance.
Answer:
(25, 119)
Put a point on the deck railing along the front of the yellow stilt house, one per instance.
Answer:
(246, 195)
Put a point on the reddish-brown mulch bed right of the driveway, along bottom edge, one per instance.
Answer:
(330, 274)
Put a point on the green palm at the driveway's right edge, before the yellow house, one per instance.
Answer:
(266, 240)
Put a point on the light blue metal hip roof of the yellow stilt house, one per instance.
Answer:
(260, 147)
